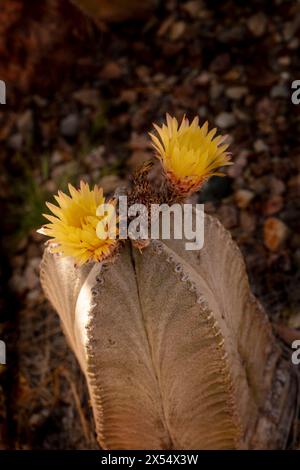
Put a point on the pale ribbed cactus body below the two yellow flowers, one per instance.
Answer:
(177, 352)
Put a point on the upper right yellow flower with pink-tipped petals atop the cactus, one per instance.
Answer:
(189, 153)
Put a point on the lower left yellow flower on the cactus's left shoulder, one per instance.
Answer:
(74, 225)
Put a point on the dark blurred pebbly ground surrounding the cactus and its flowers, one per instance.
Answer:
(85, 80)
